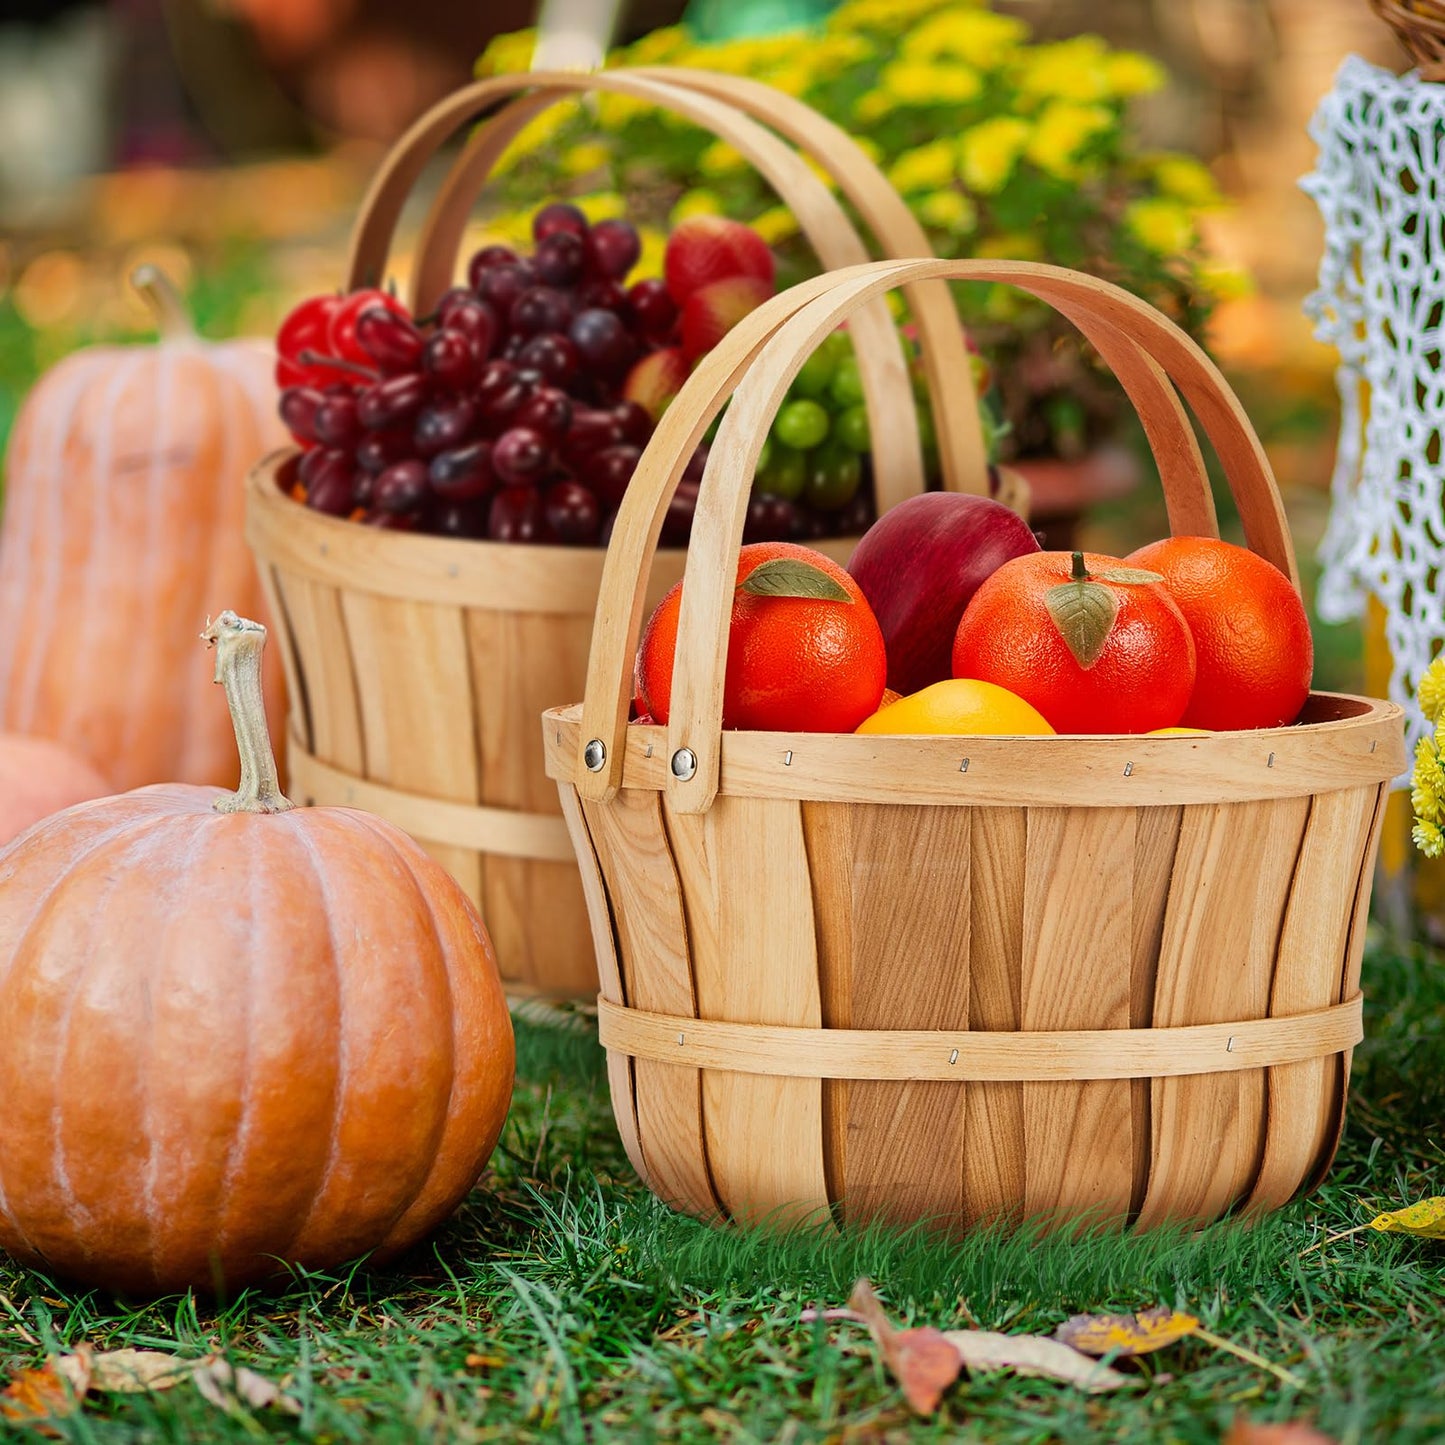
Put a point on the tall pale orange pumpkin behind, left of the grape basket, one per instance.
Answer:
(124, 508)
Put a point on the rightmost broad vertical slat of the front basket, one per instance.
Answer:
(1313, 947)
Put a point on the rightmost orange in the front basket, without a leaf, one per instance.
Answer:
(1252, 642)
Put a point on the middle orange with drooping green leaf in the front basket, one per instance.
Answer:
(1095, 647)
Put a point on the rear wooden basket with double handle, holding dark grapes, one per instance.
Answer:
(418, 665)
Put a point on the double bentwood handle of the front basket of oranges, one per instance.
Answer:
(1149, 352)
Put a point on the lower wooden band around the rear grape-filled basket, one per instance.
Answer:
(509, 833)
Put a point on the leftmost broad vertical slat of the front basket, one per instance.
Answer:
(652, 937)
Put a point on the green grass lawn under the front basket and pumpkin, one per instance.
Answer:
(566, 1304)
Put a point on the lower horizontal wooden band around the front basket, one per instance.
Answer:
(979, 1057)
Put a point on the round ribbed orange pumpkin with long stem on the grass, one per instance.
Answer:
(238, 1032)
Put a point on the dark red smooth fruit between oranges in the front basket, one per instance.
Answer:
(921, 564)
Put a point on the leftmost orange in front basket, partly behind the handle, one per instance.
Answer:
(794, 664)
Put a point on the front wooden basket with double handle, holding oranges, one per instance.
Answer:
(966, 979)
